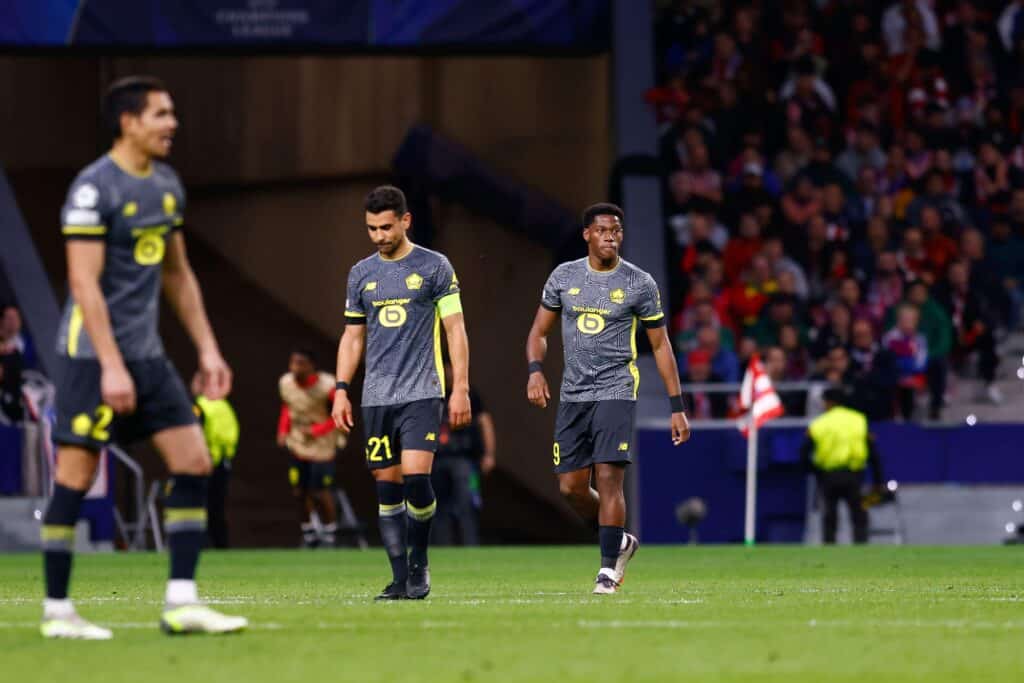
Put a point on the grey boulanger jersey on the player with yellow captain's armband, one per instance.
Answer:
(401, 303)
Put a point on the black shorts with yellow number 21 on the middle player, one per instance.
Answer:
(392, 430)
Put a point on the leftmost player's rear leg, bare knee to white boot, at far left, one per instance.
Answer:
(76, 468)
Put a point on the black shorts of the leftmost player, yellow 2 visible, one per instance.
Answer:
(83, 419)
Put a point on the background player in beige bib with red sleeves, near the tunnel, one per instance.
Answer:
(306, 429)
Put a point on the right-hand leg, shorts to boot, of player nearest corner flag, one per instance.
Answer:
(612, 428)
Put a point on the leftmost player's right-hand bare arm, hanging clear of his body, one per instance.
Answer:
(182, 290)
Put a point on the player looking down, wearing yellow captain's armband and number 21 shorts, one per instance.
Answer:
(397, 304)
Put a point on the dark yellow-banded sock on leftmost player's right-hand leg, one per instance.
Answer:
(185, 522)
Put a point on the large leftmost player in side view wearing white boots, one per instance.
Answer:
(122, 222)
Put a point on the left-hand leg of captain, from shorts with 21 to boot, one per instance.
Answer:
(383, 459)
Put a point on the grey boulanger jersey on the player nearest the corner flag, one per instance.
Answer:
(601, 315)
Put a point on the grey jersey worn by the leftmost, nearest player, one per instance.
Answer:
(134, 216)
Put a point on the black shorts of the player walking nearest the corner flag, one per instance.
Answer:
(598, 432)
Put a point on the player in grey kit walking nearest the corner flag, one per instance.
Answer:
(602, 300)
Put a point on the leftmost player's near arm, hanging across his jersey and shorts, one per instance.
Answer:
(86, 265)
